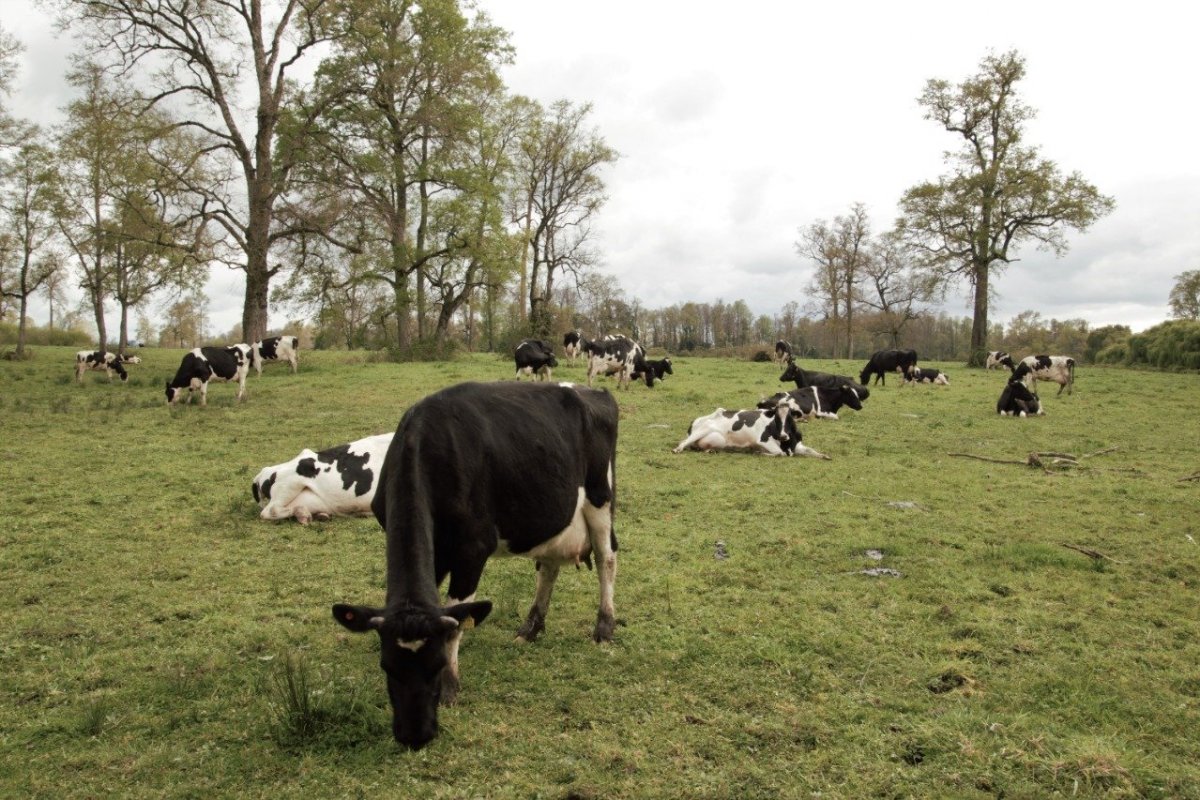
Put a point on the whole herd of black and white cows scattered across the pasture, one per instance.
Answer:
(451, 497)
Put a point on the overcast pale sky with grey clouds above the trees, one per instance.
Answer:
(740, 125)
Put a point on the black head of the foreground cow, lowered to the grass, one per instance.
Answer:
(413, 657)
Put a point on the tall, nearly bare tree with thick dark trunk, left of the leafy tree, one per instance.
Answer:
(203, 56)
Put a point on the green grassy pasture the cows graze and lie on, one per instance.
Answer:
(159, 640)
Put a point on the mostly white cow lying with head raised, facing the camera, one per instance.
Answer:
(771, 431)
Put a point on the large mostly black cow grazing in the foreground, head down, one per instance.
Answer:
(476, 471)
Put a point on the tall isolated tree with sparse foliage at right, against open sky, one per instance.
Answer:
(1000, 194)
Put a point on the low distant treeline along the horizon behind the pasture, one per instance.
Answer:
(718, 329)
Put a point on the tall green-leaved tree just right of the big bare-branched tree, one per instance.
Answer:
(403, 87)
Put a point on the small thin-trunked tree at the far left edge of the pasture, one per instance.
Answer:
(28, 196)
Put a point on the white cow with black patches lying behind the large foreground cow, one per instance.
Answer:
(339, 482)
